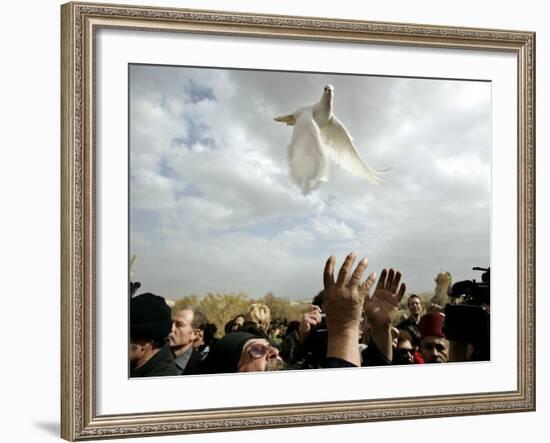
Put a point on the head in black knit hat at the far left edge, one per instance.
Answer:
(150, 324)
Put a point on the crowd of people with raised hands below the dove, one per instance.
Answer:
(352, 322)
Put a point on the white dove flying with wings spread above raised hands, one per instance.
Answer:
(317, 135)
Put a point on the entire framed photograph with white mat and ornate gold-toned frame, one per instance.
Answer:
(225, 164)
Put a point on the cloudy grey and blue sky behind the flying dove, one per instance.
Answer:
(213, 209)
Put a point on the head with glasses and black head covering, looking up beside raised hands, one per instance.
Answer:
(242, 352)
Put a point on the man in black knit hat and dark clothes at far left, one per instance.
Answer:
(150, 324)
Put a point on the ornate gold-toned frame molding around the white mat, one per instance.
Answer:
(79, 22)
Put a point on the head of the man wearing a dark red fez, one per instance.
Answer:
(434, 346)
